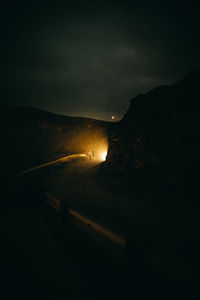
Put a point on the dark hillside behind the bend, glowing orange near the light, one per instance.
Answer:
(31, 136)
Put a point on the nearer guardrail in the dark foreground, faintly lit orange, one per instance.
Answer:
(135, 251)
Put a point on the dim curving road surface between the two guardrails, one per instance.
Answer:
(78, 187)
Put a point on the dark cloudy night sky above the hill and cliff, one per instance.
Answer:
(89, 58)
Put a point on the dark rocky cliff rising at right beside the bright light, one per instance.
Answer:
(158, 140)
